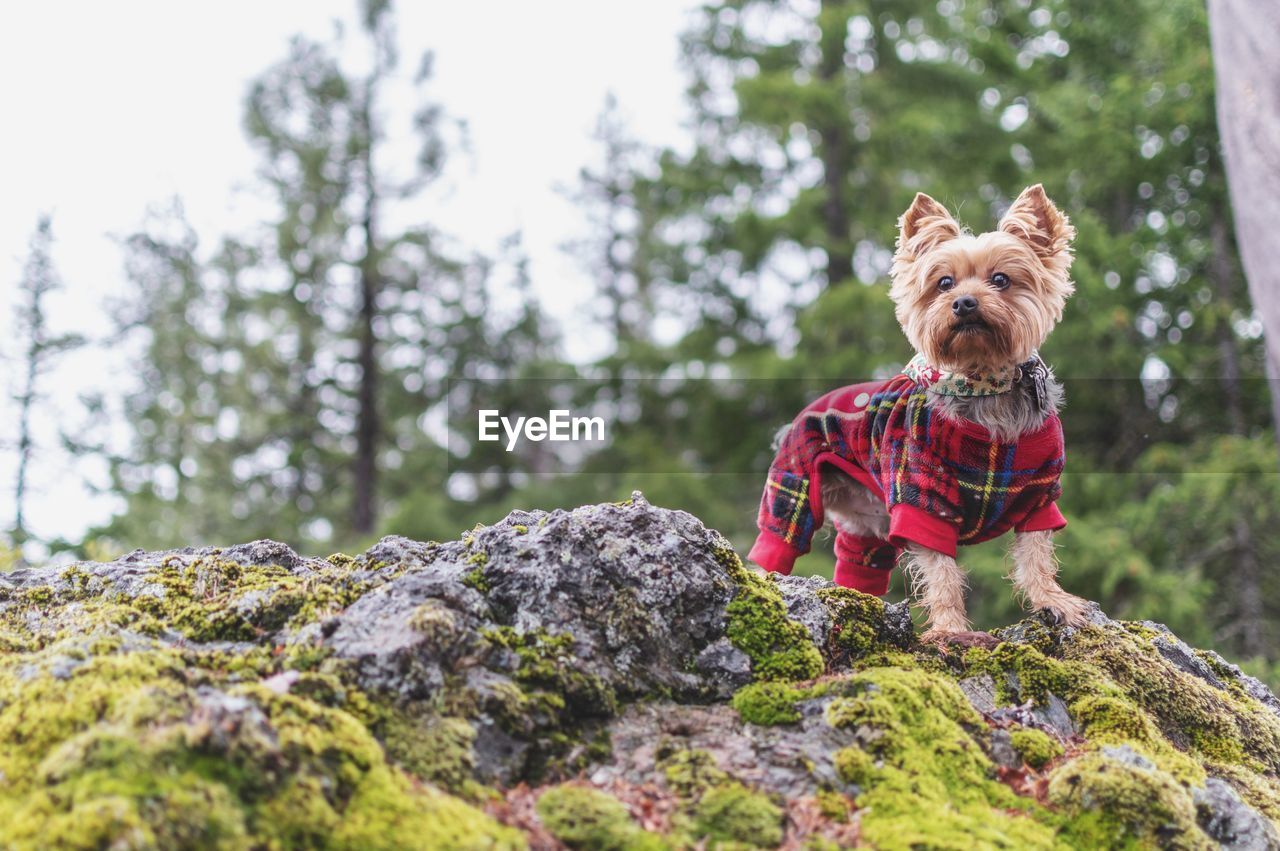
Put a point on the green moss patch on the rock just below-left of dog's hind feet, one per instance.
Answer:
(758, 625)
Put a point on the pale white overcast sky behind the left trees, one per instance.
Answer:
(113, 108)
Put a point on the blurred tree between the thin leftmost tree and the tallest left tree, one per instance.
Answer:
(191, 414)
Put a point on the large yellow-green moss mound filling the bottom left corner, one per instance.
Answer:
(139, 751)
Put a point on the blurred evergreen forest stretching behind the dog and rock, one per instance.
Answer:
(304, 381)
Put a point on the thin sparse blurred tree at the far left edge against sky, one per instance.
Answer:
(40, 349)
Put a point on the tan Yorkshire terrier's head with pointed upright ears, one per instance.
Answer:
(982, 303)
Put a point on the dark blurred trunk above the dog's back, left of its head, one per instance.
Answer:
(836, 152)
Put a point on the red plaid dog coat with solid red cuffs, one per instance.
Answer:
(944, 482)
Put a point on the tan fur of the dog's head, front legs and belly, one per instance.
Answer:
(1034, 248)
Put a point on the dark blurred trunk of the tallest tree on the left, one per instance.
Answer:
(365, 510)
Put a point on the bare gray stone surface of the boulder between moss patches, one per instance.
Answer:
(633, 602)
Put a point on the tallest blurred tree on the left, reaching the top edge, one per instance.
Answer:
(321, 131)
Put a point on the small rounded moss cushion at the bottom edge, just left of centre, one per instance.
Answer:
(587, 820)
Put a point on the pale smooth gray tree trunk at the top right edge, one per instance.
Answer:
(1246, 36)
